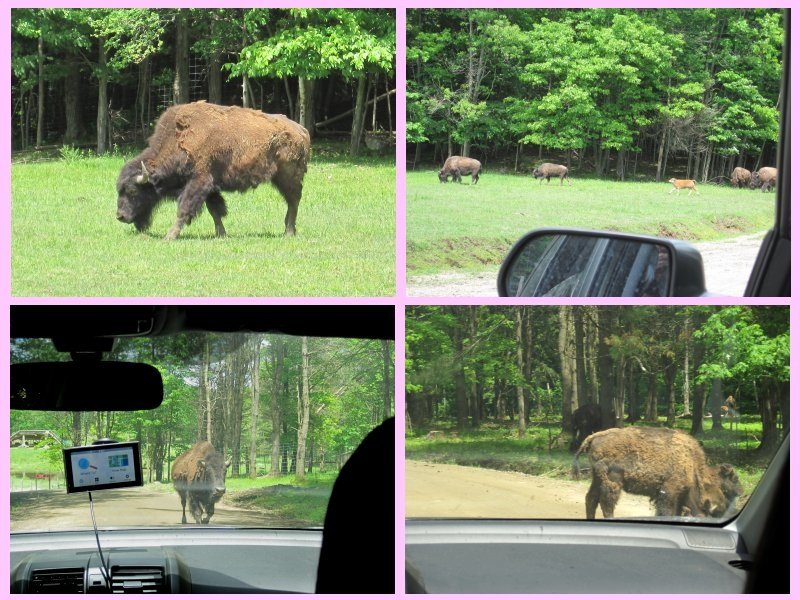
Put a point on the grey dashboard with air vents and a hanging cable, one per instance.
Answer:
(187, 560)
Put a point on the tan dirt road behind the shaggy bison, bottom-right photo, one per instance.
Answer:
(439, 490)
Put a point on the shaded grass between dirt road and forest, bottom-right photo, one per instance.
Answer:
(543, 452)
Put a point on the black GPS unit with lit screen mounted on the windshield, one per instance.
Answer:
(101, 467)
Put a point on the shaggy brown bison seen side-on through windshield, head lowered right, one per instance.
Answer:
(666, 465)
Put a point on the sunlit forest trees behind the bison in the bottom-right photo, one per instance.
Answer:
(629, 360)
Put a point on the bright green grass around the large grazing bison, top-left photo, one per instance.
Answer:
(66, 240)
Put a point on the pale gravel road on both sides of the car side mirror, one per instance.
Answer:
(727, 266)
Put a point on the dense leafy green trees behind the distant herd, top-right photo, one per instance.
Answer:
(605, 86)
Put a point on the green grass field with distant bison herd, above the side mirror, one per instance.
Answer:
(453, 227)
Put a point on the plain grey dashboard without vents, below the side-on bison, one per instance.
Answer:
(591, 557)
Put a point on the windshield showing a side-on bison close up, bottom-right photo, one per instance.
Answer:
(575, 412)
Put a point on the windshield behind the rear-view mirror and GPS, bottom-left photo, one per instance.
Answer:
(269, 418)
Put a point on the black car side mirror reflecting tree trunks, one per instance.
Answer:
(572, 262)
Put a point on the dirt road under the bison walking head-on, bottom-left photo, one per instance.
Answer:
(132, 507)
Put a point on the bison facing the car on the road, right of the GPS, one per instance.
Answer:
(199, 476)
